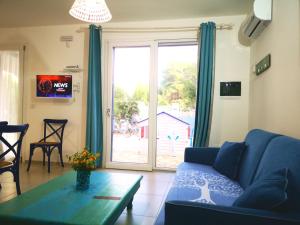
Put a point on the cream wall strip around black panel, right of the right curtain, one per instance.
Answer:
(230, 114)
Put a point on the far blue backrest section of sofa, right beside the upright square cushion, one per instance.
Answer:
(256, 141)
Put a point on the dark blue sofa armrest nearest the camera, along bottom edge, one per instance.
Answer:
(193, 213)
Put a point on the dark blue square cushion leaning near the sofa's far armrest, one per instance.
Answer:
(228, 159)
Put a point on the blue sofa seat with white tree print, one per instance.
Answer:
(202, 183)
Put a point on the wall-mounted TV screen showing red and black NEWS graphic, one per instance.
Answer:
(54, 86)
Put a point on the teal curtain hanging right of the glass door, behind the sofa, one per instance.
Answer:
(205, 84)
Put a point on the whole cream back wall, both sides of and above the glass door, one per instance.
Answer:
(45, 54)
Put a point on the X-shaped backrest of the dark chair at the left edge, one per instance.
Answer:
(15, 148)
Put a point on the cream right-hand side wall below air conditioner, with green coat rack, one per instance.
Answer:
(275, 94)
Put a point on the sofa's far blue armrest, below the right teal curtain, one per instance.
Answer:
(205, 156)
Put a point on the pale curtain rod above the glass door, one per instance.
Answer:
(163, 29)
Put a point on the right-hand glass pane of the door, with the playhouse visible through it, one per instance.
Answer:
(176, 101)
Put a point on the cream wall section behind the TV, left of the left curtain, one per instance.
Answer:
(45, 54)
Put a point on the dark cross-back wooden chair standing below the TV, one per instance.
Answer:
(56, 130)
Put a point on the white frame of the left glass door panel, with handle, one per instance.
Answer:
(152, 106)
